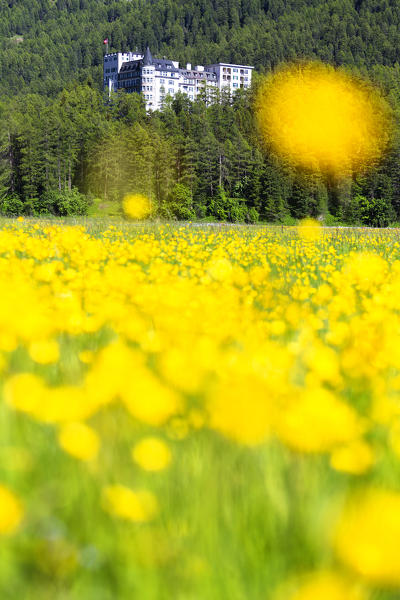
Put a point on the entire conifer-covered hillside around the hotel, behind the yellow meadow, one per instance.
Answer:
(57, 133)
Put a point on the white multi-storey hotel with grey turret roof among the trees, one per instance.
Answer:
(156, 78)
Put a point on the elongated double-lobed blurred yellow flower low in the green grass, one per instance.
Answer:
(121, 501)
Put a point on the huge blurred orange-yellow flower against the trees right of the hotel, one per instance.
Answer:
(323, 119)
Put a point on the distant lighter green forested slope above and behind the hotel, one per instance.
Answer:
(45, 44)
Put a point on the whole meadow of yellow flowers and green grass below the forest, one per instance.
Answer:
(196, 413)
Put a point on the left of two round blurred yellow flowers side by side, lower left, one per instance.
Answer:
(79, 440)
